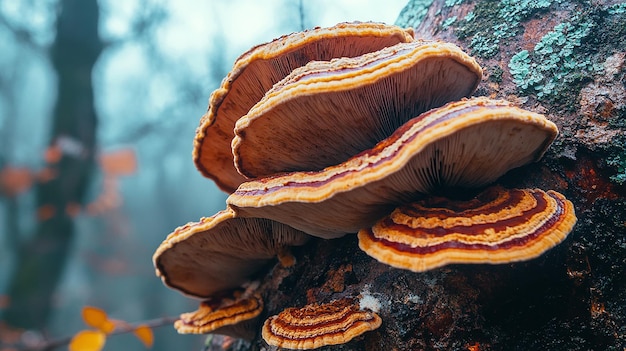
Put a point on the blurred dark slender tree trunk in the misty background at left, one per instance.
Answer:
(41, 260)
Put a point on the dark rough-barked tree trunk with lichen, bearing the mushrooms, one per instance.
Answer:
(565, 59)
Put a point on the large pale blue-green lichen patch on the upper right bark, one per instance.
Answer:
(570, 55)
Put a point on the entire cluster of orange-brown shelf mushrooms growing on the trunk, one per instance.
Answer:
(355, 128)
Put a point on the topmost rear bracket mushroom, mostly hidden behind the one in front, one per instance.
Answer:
(258, 69)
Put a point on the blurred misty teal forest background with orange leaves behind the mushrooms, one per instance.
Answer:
(99, 101)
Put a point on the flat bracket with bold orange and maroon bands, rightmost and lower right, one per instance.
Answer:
(498, 226)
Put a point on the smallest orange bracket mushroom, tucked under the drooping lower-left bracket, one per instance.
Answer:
(223, 318)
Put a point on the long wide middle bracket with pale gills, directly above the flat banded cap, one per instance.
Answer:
(469, 143)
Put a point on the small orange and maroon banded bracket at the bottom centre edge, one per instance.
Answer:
(315, 325)
